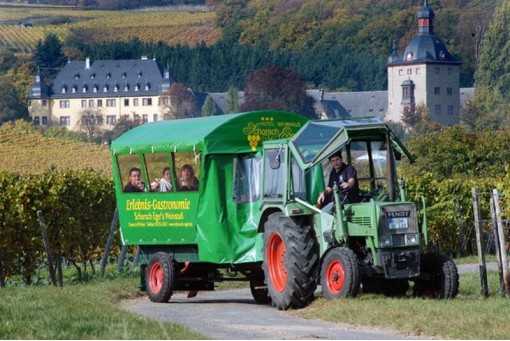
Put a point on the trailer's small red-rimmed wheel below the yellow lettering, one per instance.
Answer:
(160, 277)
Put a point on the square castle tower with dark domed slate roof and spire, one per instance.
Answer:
(426, 73)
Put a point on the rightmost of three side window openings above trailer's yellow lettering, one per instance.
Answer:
(187, 168)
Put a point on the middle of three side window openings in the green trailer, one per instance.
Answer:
(159, 171)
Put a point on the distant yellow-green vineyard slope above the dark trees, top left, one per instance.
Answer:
(185, 28)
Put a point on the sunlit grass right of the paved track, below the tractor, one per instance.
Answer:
(469, 316)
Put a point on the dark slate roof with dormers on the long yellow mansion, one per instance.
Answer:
(110, 78)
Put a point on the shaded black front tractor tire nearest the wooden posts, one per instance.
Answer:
(439, 277)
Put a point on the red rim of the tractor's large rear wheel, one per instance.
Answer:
(276, 256)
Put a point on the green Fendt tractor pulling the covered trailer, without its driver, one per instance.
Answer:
(377, 244)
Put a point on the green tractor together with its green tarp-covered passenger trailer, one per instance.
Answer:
(252, 214)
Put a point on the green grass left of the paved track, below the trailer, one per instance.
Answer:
(80, 311)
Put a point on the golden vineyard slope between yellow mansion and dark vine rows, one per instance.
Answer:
(27, 151)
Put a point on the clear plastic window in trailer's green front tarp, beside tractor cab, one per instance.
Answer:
(246, 186)
